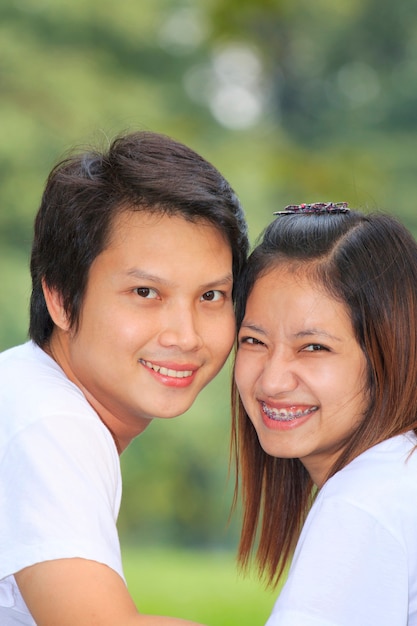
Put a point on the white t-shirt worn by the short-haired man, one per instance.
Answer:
(60, 482)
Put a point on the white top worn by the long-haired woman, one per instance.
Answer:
(356, 560)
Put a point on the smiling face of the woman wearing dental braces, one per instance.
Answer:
(300, 371)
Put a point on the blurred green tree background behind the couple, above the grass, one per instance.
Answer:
(292, 100)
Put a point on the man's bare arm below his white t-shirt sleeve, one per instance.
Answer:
(78, 592)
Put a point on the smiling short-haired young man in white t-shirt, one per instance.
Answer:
(134, 255)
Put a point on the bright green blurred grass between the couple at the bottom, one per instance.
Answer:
(196, 585)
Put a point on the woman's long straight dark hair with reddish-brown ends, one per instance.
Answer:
(369, 263)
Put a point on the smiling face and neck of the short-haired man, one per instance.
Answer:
(156, 324)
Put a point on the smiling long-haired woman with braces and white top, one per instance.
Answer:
(326, 416)
